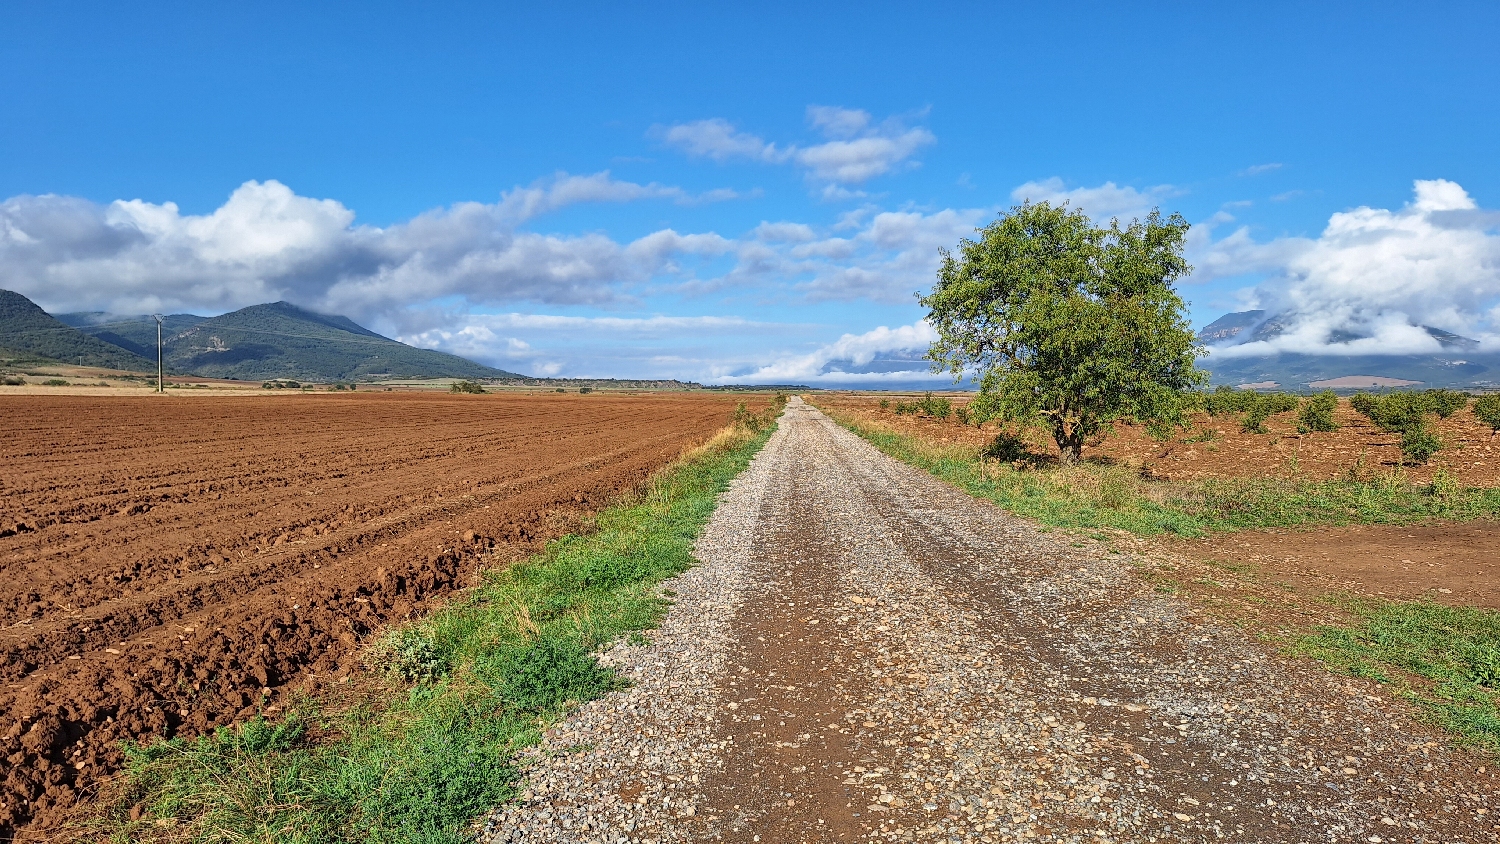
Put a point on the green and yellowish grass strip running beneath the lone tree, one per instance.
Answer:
(1091, 495)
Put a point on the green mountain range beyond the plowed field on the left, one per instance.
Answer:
(253, 344)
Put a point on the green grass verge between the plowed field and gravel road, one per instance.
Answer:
(469, 687)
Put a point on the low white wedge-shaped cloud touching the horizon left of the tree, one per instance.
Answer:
(853, 359)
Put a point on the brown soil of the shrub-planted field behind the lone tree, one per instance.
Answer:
(1471, 449)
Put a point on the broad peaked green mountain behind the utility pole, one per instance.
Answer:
(284, 341)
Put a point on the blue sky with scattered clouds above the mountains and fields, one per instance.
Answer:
(745, 193)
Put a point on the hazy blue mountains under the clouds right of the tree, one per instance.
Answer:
(1462, 365)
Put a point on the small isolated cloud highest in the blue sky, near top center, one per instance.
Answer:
(856, 148)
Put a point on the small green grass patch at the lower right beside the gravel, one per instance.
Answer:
(1447, 660)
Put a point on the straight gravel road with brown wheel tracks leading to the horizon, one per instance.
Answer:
(868, 654)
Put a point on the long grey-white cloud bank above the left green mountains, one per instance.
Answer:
(268, 244)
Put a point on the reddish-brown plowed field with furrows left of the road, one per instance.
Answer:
(173, 564)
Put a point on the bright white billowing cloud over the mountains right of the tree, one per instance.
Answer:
(1373, 277)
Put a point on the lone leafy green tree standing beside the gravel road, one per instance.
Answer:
(1066, 325)
